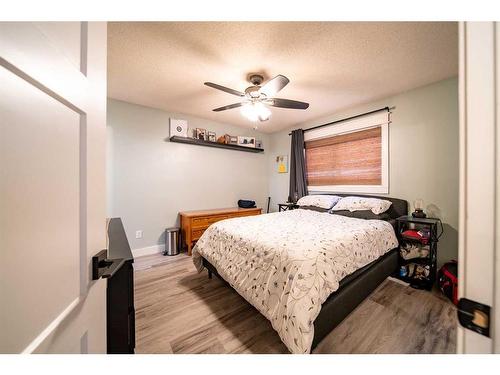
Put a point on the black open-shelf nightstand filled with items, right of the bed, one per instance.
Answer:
(418, 238)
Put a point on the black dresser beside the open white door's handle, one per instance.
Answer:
(120, 293)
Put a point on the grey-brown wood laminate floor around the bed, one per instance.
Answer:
(181, 311)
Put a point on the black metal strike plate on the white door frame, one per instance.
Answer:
(474, 316)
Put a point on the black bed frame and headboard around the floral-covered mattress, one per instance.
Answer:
(353, 288)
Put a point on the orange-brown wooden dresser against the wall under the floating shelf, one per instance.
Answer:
(194, 223)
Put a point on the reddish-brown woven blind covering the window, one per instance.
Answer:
(346, 159)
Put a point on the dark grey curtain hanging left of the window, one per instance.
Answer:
(298, 183)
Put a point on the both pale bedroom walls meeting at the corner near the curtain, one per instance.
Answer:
(150, 180)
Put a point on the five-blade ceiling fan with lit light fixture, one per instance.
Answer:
(256, 98)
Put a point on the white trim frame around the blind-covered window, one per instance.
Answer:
(351, 126)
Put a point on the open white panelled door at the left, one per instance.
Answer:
(52, 186)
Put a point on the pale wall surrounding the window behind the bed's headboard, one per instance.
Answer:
(423, 153)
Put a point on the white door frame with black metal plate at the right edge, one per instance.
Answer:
(479, 231)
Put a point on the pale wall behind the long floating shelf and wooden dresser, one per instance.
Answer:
(151, 179)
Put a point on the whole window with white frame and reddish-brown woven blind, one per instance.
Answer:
(350, 156)
